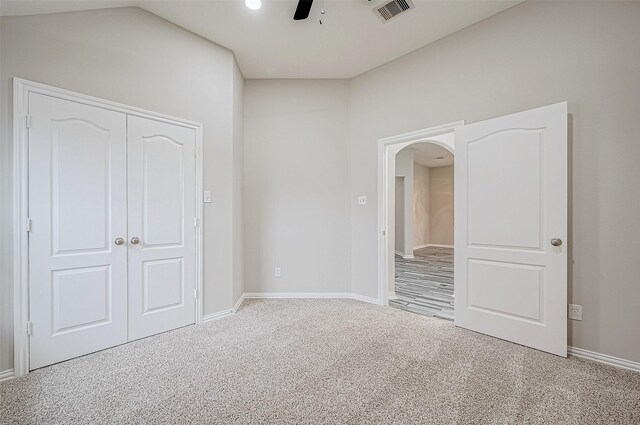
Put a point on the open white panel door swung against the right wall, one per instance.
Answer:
(511, 228)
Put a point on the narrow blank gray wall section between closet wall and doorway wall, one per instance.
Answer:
(297, 185)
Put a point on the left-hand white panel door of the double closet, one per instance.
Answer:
(77, 198)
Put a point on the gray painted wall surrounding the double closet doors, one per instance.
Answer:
(133, 57)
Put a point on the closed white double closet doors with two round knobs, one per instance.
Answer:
(112, 238)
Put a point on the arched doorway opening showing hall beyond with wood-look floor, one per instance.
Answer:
(423, 230)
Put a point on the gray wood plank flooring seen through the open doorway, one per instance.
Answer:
(424, 284)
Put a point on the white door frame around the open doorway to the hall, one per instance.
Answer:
(387, 148)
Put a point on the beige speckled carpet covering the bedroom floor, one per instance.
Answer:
(322, 362)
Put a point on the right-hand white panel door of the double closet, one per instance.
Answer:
(161, 191)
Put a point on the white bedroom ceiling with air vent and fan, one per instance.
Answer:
(268, 43)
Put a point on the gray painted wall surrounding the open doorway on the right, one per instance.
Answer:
(534, 54)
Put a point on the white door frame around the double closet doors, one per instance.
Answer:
(21, 90)
